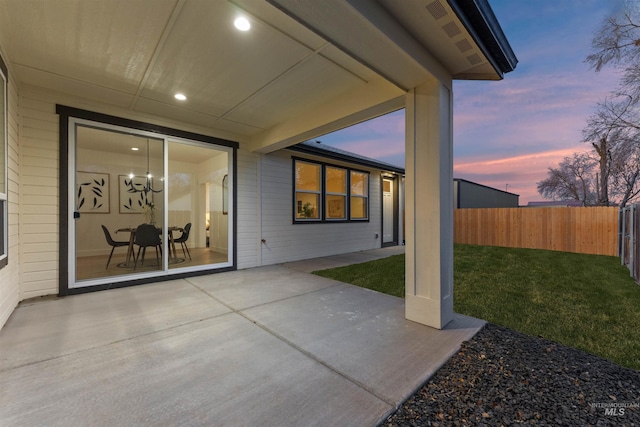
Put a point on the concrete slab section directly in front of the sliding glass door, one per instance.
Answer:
(42, 330)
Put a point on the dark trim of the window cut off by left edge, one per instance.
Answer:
(4, 192)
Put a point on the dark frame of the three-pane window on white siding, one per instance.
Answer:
(323, 194)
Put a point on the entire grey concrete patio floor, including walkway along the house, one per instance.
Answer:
(270, 345)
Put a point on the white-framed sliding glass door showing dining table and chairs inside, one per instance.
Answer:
(145, 205)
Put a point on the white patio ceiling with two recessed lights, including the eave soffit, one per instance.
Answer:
(252, 86)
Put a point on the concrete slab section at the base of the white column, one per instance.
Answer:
(363, 335)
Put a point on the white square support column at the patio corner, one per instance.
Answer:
(429, 205)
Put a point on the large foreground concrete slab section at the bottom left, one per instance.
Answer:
(218, 372)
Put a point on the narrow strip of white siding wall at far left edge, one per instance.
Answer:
(9, 275)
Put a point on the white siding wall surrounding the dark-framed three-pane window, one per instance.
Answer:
(286, 241)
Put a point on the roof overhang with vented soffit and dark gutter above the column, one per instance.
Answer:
(409, 41)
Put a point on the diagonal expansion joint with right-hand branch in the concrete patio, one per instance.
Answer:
(291, 344)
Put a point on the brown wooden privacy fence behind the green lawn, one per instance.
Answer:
(588, 230)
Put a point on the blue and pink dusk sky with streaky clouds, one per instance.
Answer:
(508, 133)
